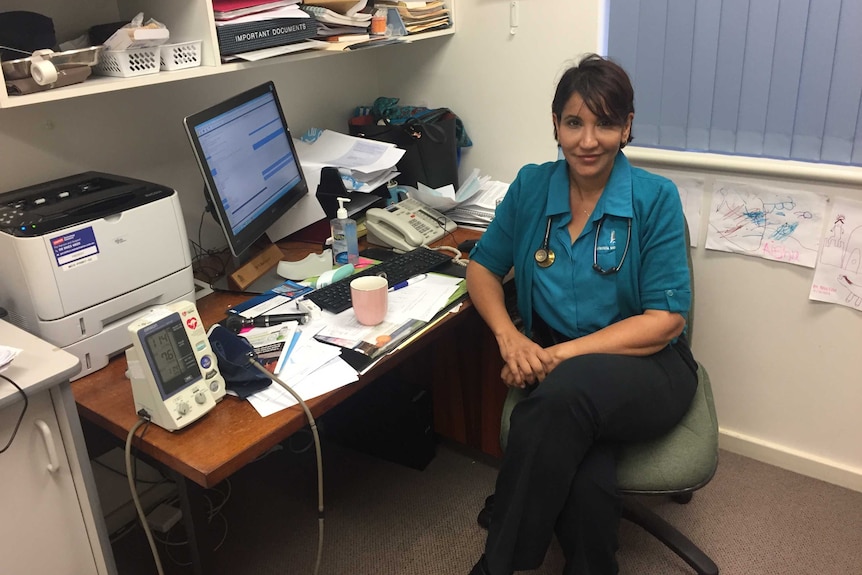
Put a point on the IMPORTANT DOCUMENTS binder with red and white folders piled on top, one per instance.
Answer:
(244, 26)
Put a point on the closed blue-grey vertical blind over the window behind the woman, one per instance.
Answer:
(767, 78)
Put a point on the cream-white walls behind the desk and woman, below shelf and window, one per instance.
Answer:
(784, 369)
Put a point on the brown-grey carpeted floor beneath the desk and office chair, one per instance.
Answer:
(385, 518)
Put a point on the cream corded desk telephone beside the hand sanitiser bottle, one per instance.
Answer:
(406, 225)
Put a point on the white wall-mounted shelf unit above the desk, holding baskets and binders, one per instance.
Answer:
(186, 19)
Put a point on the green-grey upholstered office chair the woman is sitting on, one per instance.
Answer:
(676, 464)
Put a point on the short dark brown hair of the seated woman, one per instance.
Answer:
(604, 86)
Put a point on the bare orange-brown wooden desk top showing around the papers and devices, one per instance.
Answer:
(233, 433)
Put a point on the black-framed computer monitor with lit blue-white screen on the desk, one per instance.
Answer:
(248, 161)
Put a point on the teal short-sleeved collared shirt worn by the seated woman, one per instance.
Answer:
(655, 273)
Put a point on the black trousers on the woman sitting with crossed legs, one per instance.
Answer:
(558, 475)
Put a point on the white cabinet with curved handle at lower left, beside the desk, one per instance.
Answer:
(50, 521)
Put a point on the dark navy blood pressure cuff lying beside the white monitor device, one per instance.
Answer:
(233, 352)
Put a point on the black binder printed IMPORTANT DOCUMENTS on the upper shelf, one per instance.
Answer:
(248, 36)
